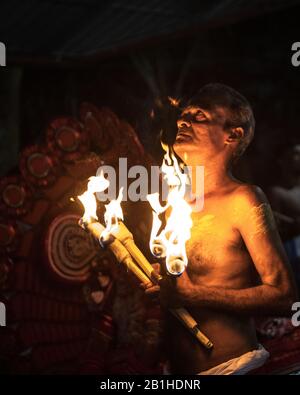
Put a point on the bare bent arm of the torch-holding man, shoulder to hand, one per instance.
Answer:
(277, 290)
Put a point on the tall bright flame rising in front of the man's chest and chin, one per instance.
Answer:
(170, 242)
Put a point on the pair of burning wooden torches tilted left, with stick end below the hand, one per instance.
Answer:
(120, 241)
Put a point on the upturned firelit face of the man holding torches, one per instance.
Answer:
(200, 131)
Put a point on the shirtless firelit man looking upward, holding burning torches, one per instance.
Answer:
(237, 266)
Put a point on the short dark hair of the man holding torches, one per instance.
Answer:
(239, 111)
